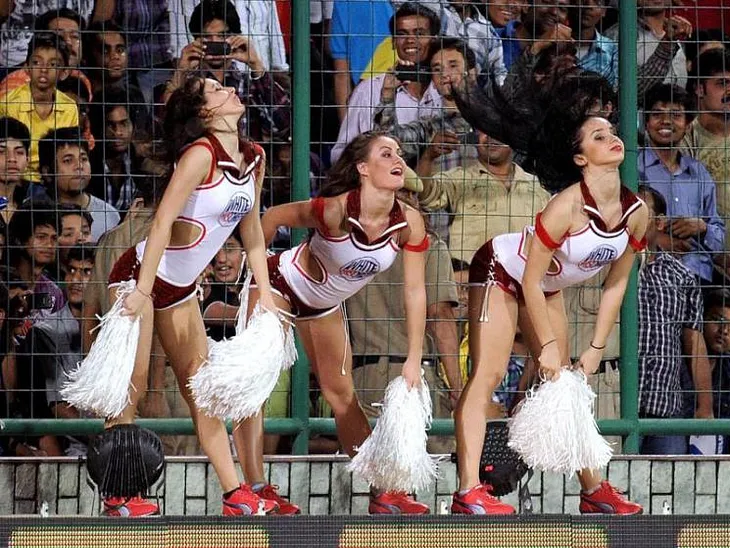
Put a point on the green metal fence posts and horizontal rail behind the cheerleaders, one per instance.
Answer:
(300, 424)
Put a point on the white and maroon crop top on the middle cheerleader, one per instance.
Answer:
(347, 263)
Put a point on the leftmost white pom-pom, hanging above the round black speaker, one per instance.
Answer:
(100, 384)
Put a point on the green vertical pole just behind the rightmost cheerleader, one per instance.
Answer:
(629, 132)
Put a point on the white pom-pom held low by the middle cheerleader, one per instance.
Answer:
(394, 457)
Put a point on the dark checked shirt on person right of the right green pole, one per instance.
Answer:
(670, 301)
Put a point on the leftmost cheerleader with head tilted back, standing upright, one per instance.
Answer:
(214, 187)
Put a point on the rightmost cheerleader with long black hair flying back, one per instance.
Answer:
(591, 223)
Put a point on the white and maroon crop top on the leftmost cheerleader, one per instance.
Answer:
(216, 207)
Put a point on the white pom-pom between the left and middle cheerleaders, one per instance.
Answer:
(241, 372)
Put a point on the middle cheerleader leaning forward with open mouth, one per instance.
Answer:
(358, 227)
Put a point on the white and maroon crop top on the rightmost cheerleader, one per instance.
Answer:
(579, 255)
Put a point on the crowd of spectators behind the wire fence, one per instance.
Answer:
(83, 92)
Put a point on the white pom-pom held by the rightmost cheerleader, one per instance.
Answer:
(554, 429)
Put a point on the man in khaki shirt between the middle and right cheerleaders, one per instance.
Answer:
(484, 198)
